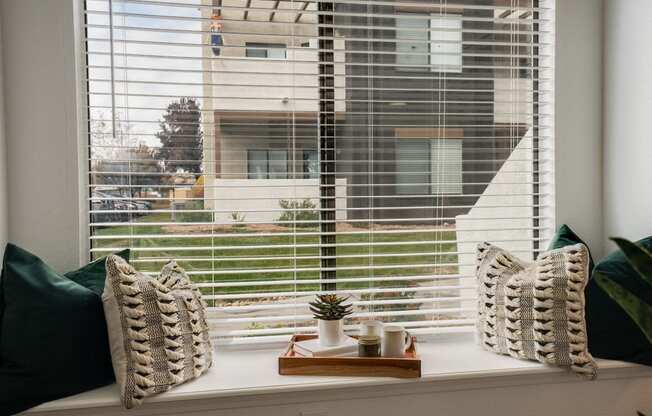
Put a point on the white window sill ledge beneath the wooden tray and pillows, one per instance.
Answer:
(453, 363)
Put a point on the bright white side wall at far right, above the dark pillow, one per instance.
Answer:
(628, 119)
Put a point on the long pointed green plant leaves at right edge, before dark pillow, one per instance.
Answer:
(637, 308)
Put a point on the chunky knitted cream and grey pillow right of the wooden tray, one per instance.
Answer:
(535, 310)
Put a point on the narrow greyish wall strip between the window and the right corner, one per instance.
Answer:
(578, 110)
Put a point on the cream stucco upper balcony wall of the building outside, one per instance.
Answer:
(272, 85)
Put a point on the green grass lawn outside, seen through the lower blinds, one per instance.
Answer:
(217, 258)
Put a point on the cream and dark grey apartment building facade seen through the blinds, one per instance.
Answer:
(421, 103)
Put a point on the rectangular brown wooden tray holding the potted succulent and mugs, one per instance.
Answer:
(293, 364)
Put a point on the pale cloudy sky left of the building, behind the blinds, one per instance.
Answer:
(132, 84)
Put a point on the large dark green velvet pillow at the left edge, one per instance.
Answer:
(53, 337)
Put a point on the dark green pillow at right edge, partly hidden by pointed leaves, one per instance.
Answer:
(612, 333)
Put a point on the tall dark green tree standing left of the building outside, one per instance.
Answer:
(181, 137)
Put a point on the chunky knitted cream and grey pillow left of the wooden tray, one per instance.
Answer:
(157, 329)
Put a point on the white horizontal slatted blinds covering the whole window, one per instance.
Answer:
(280, 149)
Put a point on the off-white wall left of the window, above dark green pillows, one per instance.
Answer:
(41, 127)
